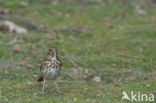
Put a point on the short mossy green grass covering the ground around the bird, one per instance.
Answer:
(117, 45)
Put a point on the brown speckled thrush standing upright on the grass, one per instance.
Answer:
(50, 68)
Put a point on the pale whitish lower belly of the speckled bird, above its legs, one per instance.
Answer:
(51, 74)
